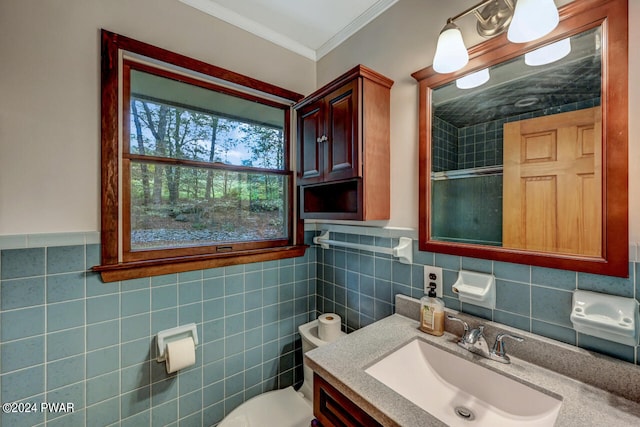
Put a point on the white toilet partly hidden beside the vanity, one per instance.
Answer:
(281, 408)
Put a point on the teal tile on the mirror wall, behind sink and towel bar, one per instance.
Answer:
(360, 286)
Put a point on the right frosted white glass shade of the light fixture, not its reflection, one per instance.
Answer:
(532, 19)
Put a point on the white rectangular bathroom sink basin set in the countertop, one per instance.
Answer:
(461, 393)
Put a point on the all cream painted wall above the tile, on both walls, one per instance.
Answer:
(50, 93)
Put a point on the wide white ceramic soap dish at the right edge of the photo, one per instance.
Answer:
(609, 317)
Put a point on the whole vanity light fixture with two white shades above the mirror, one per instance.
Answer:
(528, 20)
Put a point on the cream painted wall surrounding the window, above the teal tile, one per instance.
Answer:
(50, 95)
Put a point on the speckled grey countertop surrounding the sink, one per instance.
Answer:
(343, 362)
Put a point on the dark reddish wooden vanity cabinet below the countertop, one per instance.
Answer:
(333, 409)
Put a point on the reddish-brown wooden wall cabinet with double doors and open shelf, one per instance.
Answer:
(343, 132)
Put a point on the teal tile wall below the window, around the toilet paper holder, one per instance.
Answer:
(67, 337)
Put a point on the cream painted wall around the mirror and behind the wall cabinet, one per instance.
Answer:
(403, 40)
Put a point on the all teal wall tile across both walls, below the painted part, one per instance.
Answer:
(66, 337)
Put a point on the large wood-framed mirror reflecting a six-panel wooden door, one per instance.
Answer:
(523, 153)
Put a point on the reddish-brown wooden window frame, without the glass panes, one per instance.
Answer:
(118, 262)
